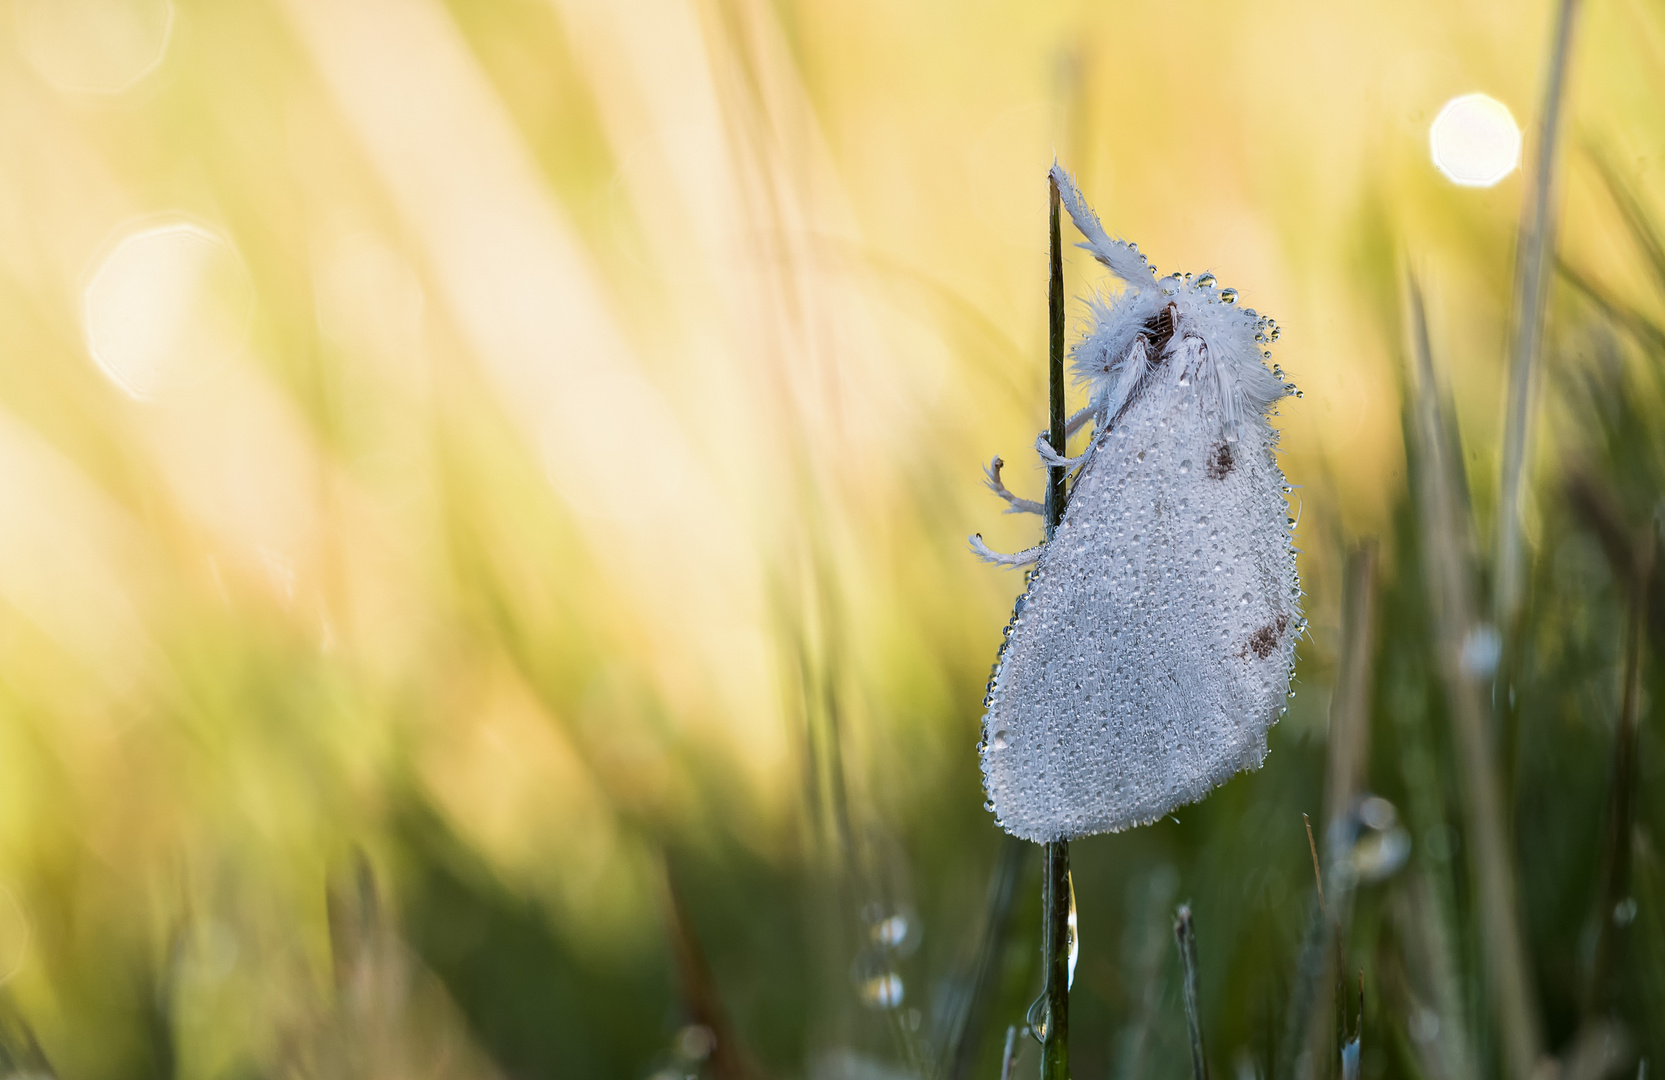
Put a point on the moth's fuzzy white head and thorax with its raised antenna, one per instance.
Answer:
(1176, 324)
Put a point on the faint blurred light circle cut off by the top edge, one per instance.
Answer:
(94, 46)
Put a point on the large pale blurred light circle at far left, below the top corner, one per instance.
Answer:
(166, 309)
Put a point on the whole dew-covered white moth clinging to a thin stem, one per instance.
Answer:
(1153, 648)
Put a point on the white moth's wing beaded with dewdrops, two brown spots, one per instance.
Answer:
(1153, 648)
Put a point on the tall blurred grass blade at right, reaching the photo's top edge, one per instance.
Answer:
(1538, 242)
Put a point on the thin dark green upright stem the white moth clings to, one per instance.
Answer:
(1055, 891)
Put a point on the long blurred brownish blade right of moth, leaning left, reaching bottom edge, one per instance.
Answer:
(1451, 600)
